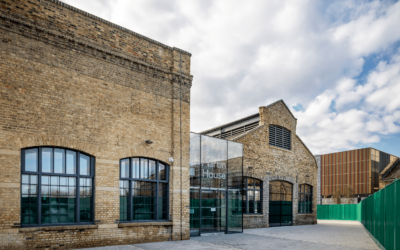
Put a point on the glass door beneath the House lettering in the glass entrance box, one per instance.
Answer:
(213, 211)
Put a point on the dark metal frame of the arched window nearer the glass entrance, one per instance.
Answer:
(156, 180)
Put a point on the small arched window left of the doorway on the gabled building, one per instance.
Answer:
(252, 197)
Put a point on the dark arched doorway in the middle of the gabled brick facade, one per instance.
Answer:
(280, 203)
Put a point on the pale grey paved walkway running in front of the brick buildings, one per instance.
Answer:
(326, 235)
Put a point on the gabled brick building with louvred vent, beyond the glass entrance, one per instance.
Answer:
(280, 173)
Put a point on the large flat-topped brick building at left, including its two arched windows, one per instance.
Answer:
(94, 131)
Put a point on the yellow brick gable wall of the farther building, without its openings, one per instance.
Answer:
(269, 163)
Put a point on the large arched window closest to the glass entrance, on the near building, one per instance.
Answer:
(143, 190)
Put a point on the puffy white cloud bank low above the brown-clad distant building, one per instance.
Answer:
(377, 112)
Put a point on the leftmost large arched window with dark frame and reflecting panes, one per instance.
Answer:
(56, 187)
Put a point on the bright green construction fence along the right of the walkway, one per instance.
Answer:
(379, 213)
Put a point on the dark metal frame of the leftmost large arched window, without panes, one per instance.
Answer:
(77, 175)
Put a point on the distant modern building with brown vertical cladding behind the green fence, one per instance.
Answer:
(358, 169)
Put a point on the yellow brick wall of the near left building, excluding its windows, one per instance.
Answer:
(71, 80)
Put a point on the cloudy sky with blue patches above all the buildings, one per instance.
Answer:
(336, 64)
